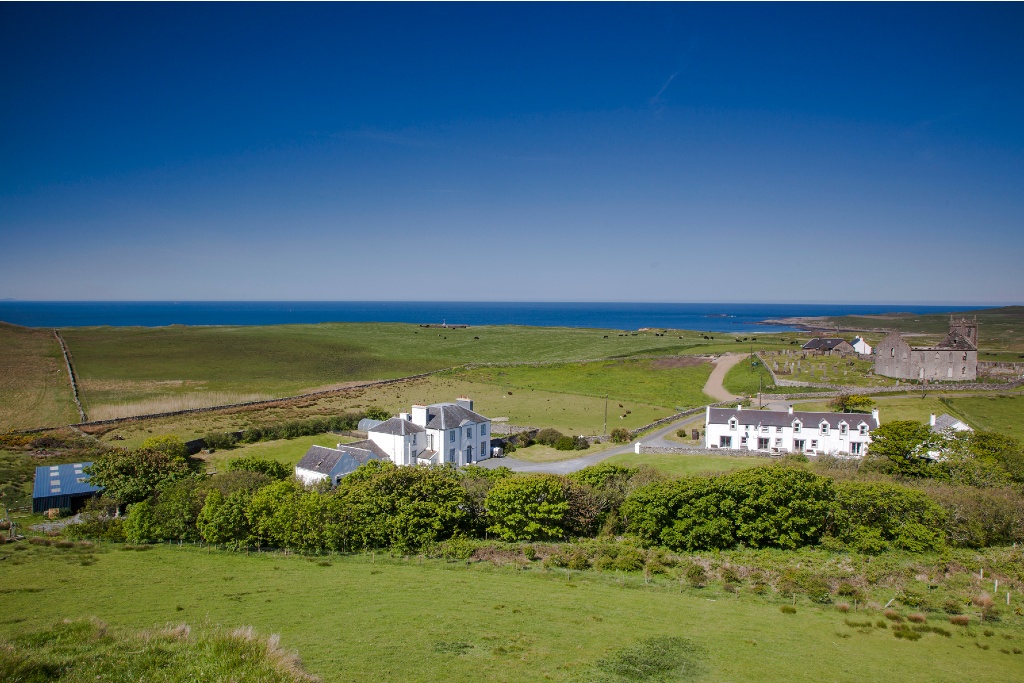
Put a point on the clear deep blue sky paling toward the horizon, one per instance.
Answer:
(804, 153)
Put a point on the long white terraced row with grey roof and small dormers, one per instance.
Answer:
(789, 432)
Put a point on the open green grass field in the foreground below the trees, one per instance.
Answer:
(394, 621)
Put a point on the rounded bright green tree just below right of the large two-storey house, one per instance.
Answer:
(528, 508)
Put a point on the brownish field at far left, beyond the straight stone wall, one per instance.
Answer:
(34, 387)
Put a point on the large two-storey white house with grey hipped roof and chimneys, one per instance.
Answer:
(435, 435)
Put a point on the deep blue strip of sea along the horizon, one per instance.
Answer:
(723, 318)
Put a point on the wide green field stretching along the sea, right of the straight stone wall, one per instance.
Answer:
(132, 371)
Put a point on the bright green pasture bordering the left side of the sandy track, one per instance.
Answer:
(671, 382)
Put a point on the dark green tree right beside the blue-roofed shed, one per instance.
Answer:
(133, 477)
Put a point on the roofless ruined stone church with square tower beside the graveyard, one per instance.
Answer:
(953, 360)
